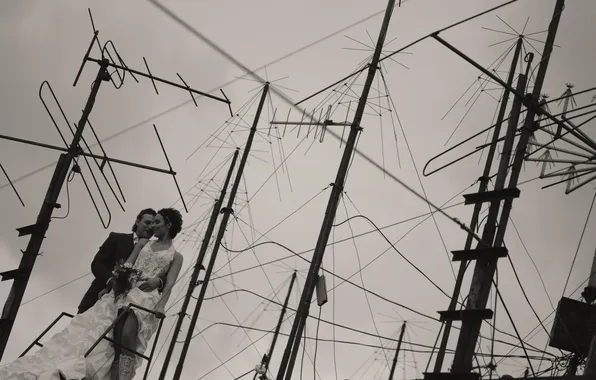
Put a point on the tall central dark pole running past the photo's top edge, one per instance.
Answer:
(289, 357)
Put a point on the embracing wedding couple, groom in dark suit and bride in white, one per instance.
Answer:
(128, 268)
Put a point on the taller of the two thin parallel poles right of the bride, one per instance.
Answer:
(227, 211)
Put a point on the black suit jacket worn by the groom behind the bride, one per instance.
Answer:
(118, 246)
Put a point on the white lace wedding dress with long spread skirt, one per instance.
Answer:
(63, 353)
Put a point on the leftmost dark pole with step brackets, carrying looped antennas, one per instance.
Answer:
(39, 229)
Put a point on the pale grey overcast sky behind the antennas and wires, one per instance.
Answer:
(406, 123)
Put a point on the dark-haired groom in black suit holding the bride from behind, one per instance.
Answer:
(118, 246)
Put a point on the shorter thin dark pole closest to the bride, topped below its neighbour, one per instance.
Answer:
(198, 266)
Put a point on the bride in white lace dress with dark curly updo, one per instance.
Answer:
(62, 357)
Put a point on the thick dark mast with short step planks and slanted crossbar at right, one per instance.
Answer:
(490, 250)
